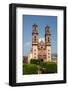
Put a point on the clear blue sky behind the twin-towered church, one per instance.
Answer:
(41, 21)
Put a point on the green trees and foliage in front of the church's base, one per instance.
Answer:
(32, 68)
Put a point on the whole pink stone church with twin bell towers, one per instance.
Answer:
(40, 49)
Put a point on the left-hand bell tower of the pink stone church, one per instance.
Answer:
(35, 41)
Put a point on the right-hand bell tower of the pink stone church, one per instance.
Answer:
(48, 43)
